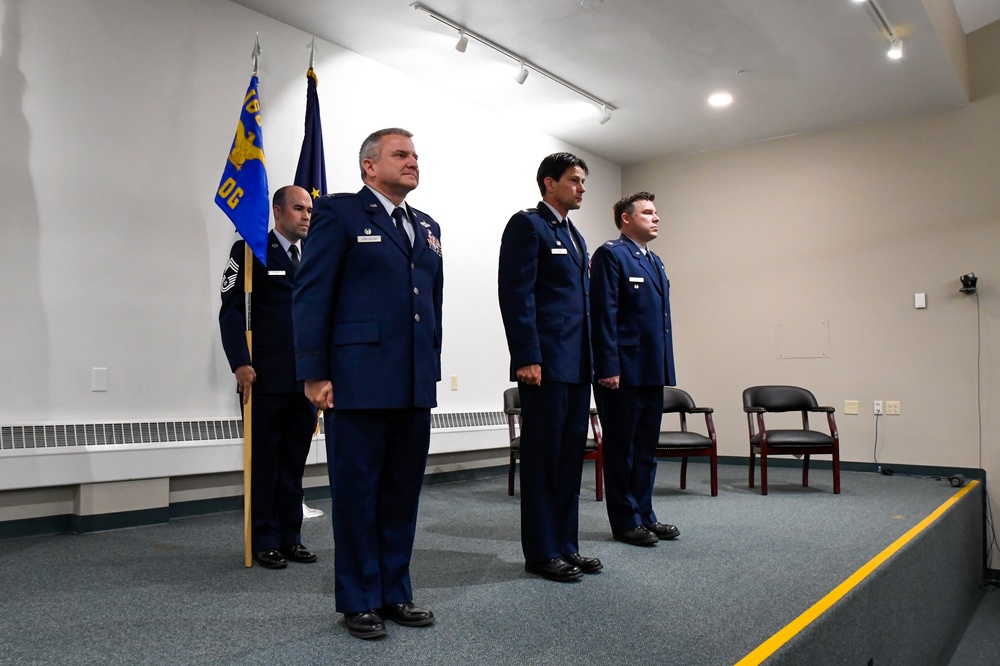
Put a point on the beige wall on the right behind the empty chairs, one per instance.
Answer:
(846, 226)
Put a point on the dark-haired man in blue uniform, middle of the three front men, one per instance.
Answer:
(543, 281)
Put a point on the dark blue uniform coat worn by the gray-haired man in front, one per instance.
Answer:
(368, 310)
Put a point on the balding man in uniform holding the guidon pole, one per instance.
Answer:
(283, 418)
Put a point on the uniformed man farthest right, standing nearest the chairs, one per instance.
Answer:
(633, 360)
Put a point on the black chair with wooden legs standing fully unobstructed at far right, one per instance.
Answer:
(759, 400)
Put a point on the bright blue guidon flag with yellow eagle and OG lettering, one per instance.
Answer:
(242, 193)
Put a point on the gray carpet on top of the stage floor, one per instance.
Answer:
(744, 566)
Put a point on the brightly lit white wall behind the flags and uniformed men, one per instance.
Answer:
(117, 120)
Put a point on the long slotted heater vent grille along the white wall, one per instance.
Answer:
(16, 437)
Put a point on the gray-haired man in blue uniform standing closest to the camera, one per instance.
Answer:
(368, 345)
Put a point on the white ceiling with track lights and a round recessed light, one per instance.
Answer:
(793, 66)
